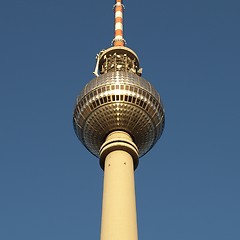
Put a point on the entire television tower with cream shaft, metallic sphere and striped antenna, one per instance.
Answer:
(118, 117)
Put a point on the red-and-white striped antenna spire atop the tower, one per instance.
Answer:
(118, 39)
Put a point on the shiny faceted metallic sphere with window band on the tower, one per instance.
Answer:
(118, 100)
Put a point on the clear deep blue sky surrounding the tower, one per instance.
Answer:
(188, 185)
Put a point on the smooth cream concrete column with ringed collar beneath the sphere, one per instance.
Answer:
(119, 155)
